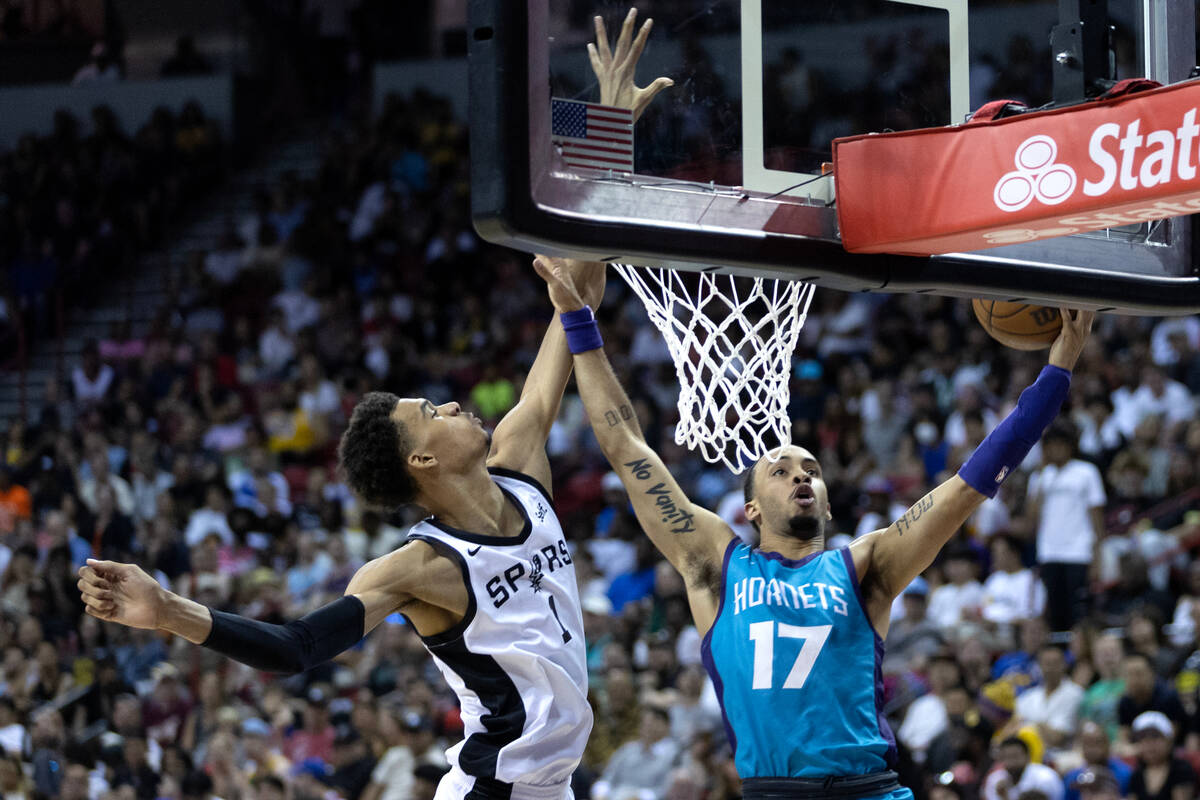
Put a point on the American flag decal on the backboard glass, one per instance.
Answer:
(590, 135)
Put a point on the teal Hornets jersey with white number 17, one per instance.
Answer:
(796, 665)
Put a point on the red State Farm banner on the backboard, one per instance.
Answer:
(1030, 177)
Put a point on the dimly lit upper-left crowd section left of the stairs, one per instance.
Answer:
(81, 202)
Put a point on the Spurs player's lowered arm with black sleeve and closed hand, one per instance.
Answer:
(125, 594)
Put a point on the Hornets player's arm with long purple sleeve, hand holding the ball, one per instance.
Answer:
(911, 544)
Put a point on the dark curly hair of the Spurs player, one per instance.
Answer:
(374, 453)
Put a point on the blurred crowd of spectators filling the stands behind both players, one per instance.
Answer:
(205, 450)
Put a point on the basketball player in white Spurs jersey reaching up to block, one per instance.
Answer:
(487, 580)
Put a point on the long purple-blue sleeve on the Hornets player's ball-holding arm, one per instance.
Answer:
(1009, 446)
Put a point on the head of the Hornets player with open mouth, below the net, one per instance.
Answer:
(791, 498)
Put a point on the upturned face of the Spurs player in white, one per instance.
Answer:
(453, 437)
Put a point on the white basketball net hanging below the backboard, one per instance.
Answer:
(731, 340)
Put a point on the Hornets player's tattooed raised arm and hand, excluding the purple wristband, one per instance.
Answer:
(692, 538)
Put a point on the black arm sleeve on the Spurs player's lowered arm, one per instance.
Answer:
(292, 648)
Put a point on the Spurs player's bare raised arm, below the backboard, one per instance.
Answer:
(520, 440)
